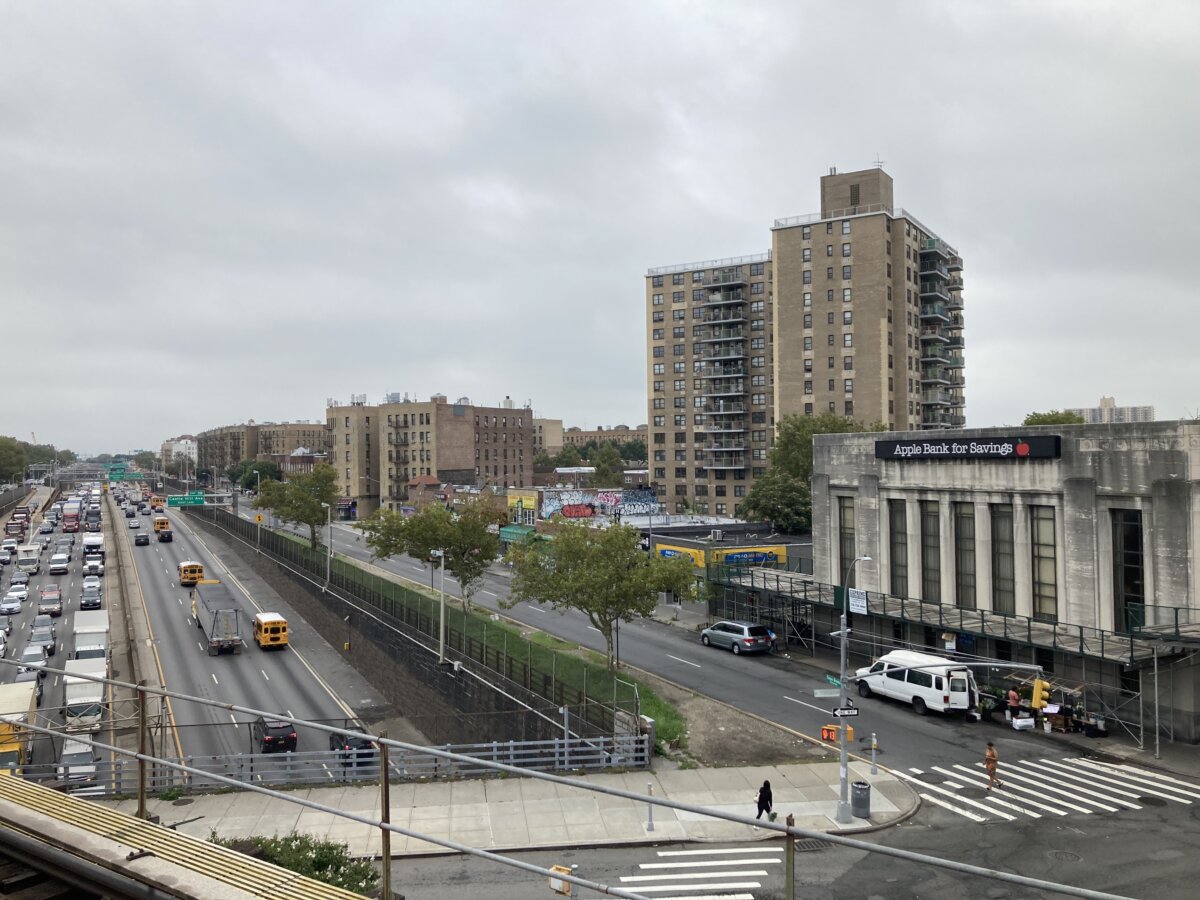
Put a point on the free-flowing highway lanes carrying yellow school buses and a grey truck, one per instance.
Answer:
(279, 681)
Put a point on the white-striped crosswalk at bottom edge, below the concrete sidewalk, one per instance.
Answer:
(710, 874)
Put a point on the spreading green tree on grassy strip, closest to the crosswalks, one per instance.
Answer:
(604, 574)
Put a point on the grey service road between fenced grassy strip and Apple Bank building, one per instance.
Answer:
(776, 689)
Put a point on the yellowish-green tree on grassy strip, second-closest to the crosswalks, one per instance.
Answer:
(465, 538)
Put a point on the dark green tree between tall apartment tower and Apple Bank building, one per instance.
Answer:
(783, 496)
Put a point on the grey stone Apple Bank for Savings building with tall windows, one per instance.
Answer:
(1072, 548)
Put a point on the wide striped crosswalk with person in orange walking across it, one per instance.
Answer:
(1047, 788)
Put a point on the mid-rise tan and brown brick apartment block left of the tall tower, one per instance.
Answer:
(379, 451)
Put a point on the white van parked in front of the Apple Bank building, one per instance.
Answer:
(922, 680)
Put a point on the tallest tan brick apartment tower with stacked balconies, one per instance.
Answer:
(856, 310)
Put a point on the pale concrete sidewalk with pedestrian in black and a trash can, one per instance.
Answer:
(507, 814)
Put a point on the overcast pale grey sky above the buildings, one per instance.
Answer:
(220, 212)
